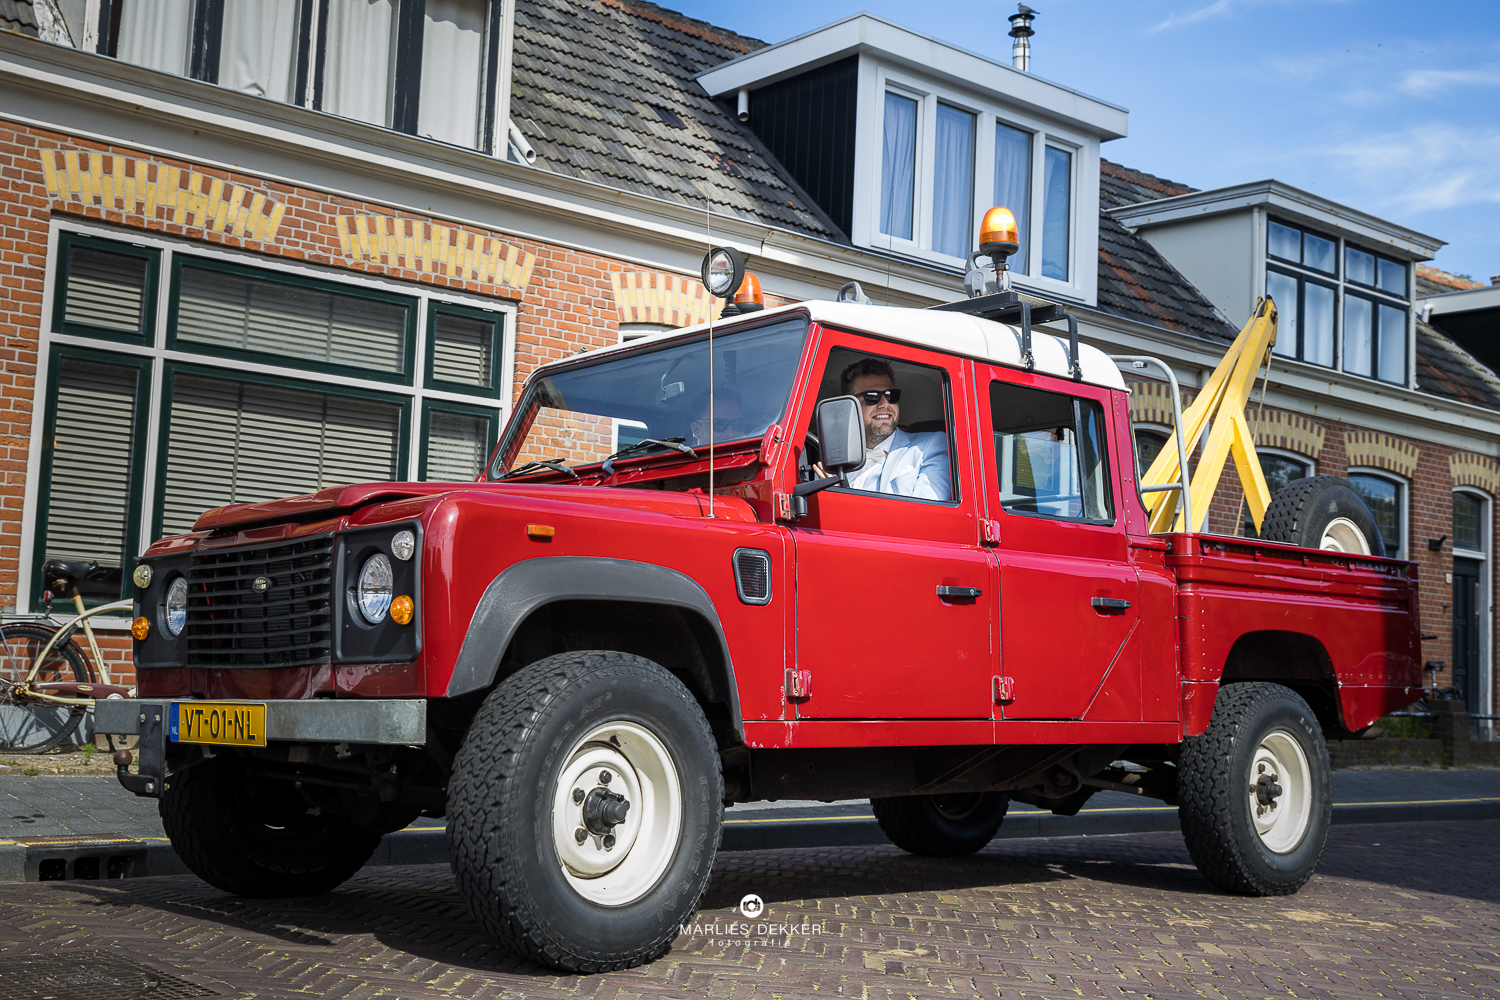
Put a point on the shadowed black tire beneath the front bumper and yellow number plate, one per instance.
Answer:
(254, 837)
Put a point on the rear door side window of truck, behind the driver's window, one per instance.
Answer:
(1051, 454)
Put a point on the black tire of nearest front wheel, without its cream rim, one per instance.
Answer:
(505, 786)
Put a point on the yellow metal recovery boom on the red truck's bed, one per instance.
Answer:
(1222, 398)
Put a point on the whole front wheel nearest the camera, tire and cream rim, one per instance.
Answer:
(586, 810)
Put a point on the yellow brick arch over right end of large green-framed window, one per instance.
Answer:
(434, 250)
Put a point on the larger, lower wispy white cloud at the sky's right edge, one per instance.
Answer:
(1426, 169)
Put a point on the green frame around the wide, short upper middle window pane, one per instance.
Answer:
(403, 377)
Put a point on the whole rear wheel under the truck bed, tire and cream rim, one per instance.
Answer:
(1255, 792)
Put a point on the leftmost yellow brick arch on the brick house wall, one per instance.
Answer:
(158, 191)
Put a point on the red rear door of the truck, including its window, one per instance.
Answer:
(1069, 594)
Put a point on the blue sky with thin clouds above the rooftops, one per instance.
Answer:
(1393, 109)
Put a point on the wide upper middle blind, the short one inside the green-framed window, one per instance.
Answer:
(251, 314)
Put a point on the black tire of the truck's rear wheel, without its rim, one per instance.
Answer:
(1214, 791)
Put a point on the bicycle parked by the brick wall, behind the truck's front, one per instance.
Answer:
(49, 683)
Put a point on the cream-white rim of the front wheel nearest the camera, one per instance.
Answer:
(641, 771)
